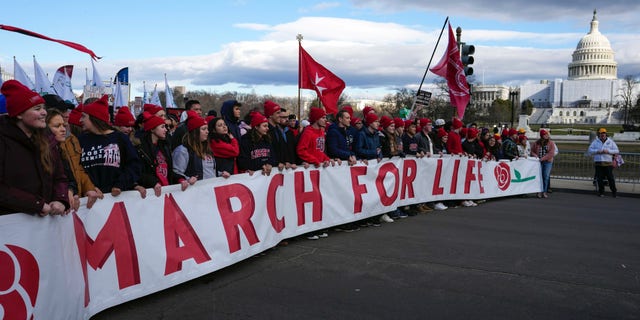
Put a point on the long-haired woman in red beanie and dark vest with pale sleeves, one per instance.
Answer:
(193, 160)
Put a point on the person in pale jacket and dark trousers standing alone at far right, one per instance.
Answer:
(603, 150)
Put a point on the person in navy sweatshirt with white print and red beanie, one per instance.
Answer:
(108, 156)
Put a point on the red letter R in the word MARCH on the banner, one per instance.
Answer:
(232, 220)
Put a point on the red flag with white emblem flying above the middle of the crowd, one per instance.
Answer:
(316, 77)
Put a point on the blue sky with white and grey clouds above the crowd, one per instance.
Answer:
(376, 46)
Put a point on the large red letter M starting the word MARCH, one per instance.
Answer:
(114, 237)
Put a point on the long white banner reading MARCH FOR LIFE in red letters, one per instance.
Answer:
(126, 247)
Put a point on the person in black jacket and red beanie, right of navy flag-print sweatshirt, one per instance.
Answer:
(155, 153)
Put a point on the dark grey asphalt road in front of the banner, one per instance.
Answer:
(571, 256)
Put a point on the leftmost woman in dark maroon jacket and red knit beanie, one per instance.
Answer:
(32, 178)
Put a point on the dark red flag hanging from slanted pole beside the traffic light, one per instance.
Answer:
(450, 67)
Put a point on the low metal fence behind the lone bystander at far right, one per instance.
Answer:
(575, 165)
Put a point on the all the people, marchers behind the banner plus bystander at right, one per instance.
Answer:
(101, 158)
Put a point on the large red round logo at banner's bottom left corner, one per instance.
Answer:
(19, 282)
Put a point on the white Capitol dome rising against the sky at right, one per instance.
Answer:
(593, 57)
